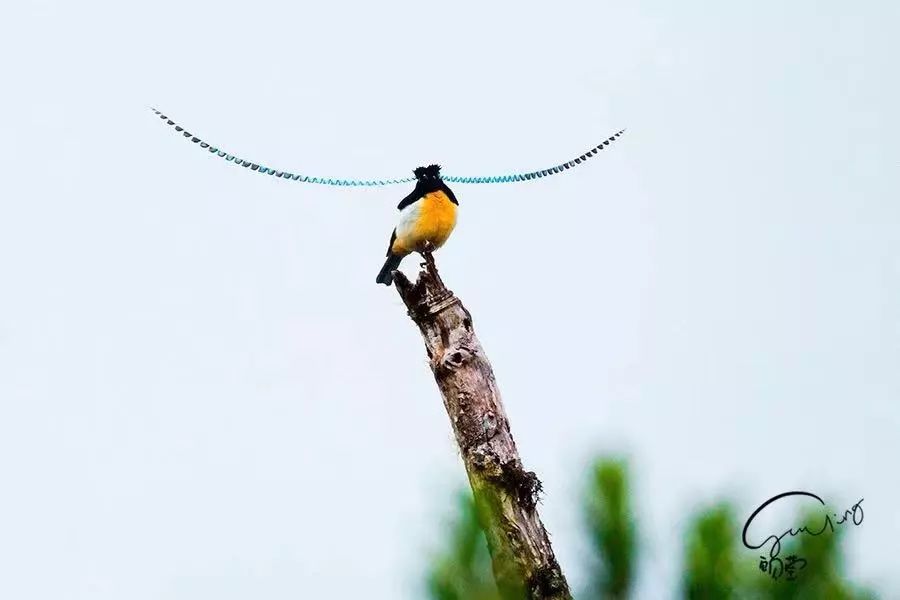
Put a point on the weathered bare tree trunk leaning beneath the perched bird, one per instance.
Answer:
(506, 495)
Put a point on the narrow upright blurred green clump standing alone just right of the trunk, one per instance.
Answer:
(611, 527)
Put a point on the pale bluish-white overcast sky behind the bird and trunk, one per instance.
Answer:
(203, 393)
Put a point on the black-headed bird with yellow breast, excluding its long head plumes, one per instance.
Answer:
(427, 218)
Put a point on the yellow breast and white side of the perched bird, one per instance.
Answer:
(430, 219)
